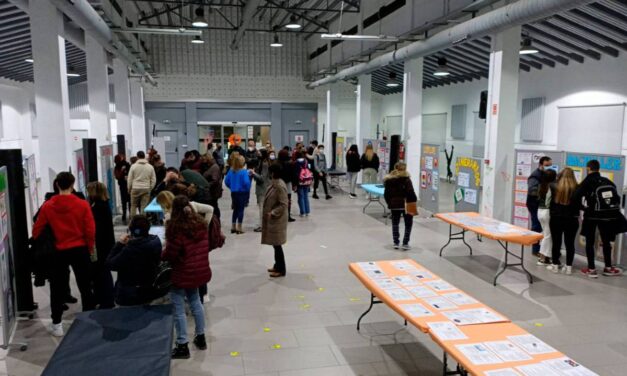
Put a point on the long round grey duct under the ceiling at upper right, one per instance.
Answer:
(518, 13)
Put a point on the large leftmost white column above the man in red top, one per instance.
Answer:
(51, 91)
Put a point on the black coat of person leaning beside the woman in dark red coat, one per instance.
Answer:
(136, 264)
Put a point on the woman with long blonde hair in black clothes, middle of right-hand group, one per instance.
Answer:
(564, 220)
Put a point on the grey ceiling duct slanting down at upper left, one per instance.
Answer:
(84, 15)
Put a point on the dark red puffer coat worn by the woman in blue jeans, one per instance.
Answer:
(189, 259)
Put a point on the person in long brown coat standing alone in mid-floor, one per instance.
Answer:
(275, 217)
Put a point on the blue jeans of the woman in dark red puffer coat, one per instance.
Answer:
(180, 321)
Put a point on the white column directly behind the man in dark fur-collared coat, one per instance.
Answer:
(412, 117)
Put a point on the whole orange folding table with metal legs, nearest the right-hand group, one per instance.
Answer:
(503, 232)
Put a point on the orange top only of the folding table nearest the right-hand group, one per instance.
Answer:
(491, 228)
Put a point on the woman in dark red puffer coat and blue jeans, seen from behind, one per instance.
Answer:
(187, 250)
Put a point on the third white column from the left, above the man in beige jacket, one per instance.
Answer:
(122, 102)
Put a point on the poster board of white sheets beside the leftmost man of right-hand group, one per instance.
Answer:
(525, 162)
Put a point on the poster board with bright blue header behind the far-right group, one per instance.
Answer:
(613, 168)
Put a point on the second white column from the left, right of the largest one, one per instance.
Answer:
(98, 91)
